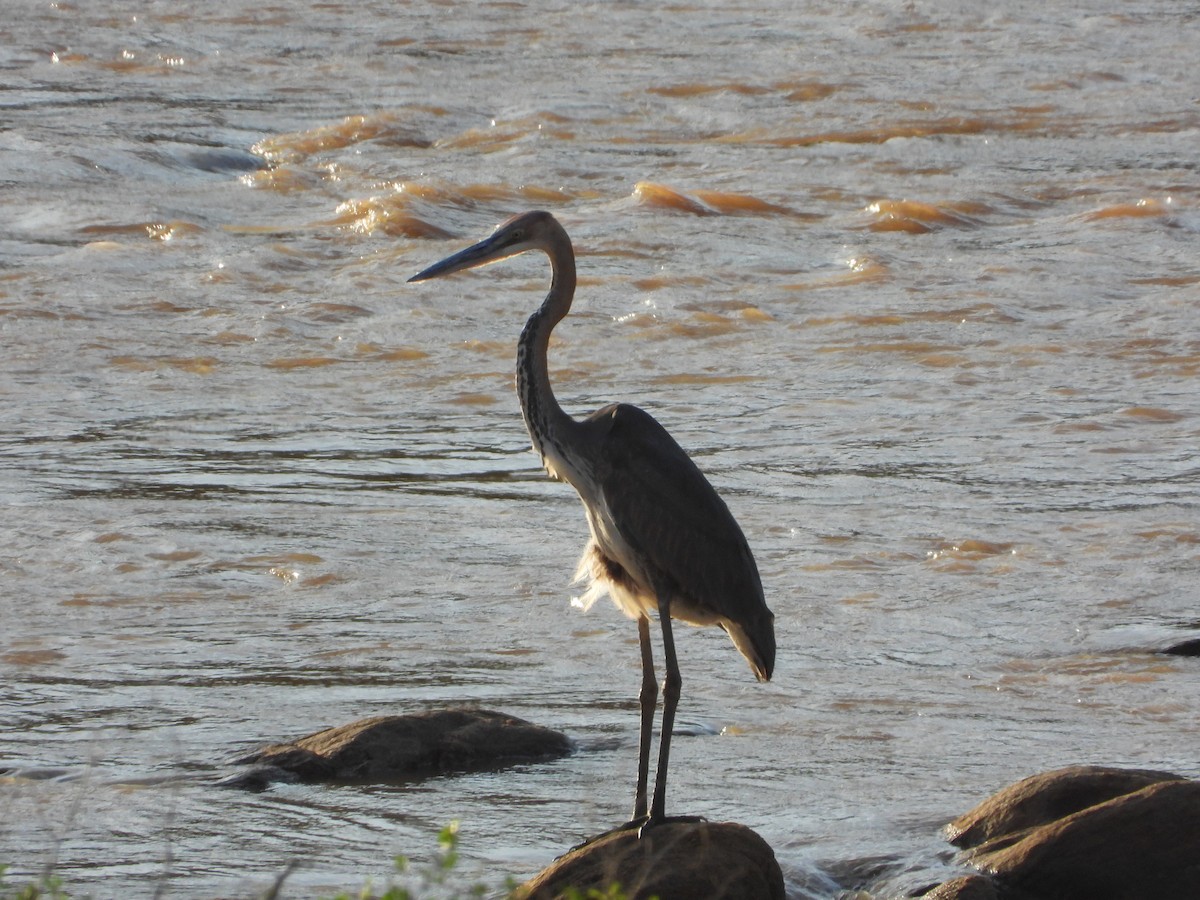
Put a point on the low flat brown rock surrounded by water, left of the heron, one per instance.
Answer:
(398, 747)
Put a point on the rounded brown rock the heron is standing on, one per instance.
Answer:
(675, 861)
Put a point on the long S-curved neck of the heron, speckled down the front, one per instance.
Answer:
(545, 419)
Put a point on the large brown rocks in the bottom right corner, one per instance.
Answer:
(1084, 833)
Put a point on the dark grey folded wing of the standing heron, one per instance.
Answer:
(670, 514)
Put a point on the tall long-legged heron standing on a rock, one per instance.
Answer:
(663, 542)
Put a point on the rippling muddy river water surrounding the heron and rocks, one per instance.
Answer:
(915, 286)
